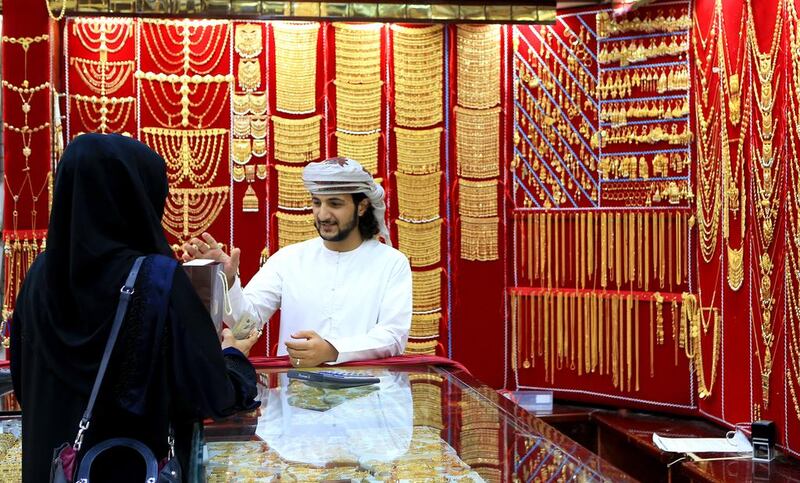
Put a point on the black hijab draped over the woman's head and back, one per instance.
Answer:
(108, 201)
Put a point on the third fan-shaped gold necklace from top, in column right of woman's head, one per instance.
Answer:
(191, 155)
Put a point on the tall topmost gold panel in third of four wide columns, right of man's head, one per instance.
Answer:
(418, 75)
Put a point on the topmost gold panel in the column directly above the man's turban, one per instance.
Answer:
(358, 52)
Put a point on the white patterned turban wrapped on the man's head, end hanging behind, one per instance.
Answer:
(337, 176)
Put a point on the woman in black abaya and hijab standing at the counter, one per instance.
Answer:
(167, 366)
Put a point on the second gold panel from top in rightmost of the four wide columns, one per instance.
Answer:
(478, 142)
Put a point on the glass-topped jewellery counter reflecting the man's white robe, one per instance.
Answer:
(419, 424)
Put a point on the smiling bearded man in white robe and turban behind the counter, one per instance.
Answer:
(343, 296)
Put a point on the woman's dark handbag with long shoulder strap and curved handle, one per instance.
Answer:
(62, 468)
